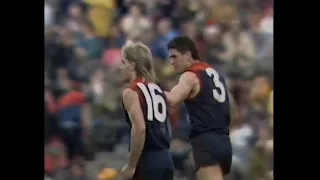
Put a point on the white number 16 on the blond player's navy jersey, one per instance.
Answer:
(154, 102)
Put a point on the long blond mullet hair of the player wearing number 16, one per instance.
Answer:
(141, 55)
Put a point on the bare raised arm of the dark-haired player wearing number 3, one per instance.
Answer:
(180, 92)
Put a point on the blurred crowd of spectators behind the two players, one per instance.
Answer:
(83, 40)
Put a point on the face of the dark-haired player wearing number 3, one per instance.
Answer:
(178, 60)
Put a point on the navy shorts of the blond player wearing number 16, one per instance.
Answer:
(156, 165)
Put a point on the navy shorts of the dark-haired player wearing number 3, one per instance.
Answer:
(212, 149)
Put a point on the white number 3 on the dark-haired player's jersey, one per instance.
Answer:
(220, 97)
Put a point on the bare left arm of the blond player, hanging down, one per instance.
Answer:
(138, 130)
